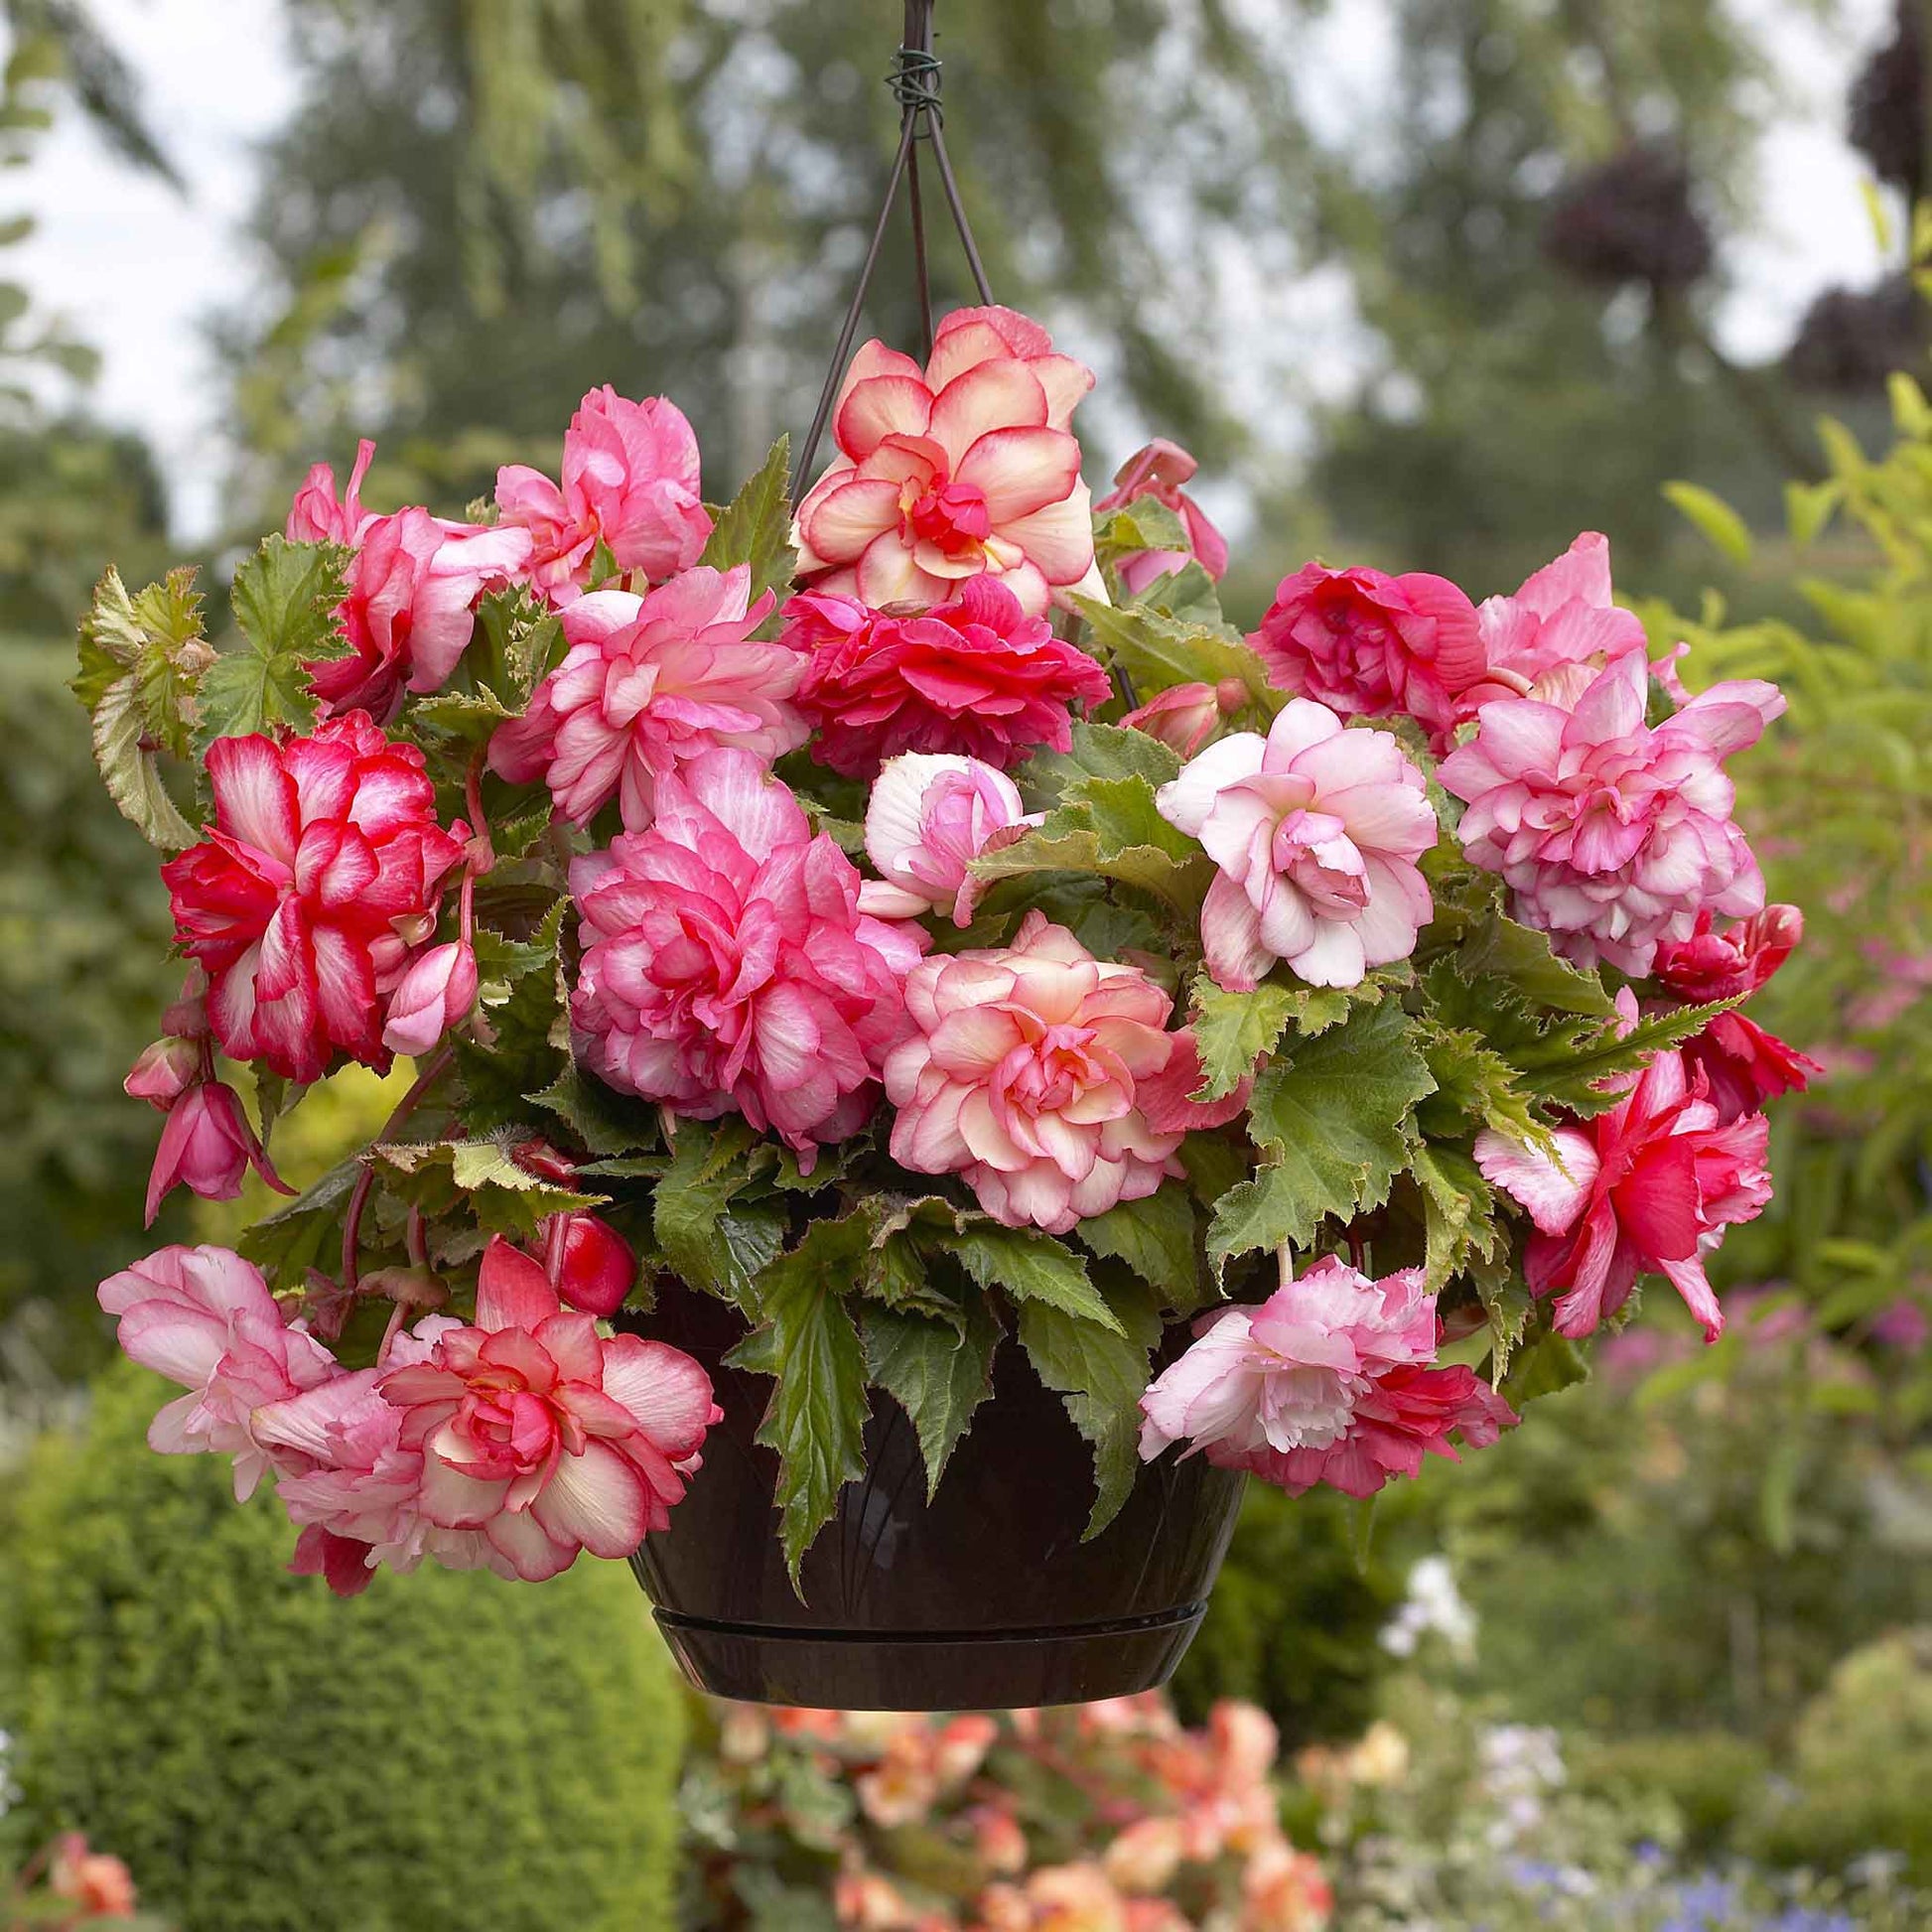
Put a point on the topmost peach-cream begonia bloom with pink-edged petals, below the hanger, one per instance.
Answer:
(953, 470)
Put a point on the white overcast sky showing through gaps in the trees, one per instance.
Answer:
(138, 270)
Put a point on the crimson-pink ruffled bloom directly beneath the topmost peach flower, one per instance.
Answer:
(975, 677)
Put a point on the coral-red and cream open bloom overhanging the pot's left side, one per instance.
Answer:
(542, 1435)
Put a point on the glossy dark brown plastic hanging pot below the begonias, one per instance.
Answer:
(982, 1599)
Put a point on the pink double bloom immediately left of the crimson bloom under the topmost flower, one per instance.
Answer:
(648, 685)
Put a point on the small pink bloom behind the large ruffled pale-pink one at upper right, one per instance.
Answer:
(1554, 635)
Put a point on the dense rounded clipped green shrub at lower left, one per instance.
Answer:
(445, 1751)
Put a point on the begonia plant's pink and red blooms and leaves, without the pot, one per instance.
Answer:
(924, 923)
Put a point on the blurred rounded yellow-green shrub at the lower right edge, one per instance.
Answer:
(1861, 1765)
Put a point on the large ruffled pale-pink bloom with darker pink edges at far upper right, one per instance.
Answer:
(1614, 836)
